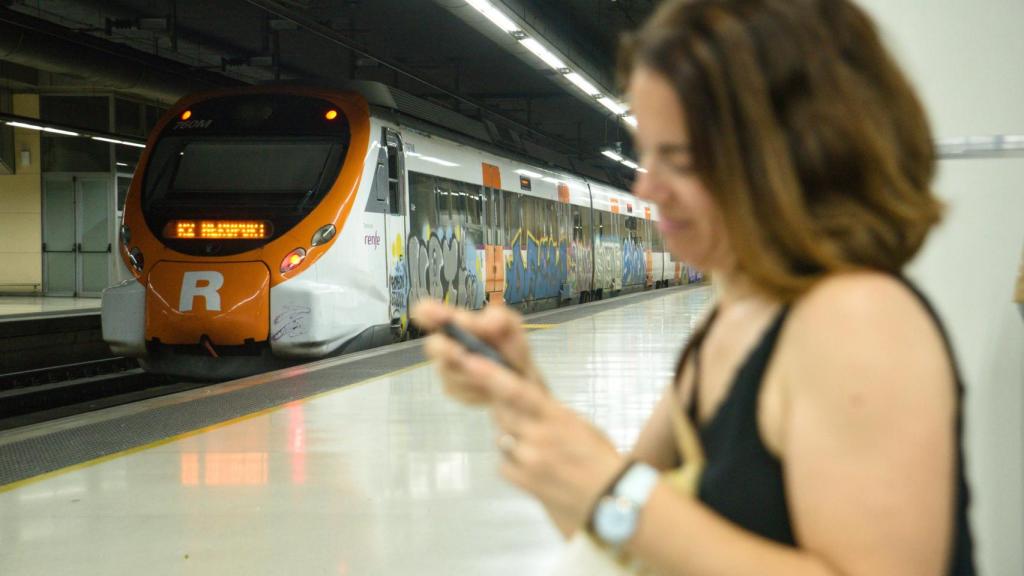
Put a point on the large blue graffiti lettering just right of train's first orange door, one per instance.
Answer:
(536, 269)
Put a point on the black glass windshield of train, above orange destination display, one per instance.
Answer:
(264, 157)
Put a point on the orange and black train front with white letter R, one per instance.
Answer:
(240, 198)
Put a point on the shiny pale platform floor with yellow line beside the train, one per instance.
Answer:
(355, 466)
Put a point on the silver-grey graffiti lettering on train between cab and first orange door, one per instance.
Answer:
(445, 268)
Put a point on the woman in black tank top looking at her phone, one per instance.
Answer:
(790, 158)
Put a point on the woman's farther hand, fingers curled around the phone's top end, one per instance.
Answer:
(496, 325)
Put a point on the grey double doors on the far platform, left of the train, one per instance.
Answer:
(77, 243)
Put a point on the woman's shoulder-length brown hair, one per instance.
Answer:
(803, 130)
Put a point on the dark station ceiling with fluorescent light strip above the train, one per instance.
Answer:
(440, 50)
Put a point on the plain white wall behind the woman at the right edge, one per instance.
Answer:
(967, 60)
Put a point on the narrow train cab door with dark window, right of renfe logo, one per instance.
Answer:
(396, 232)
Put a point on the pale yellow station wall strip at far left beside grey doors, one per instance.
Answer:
(21, 210)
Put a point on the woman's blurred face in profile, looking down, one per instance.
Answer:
(691, 221)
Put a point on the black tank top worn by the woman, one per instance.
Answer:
(743, 481)
